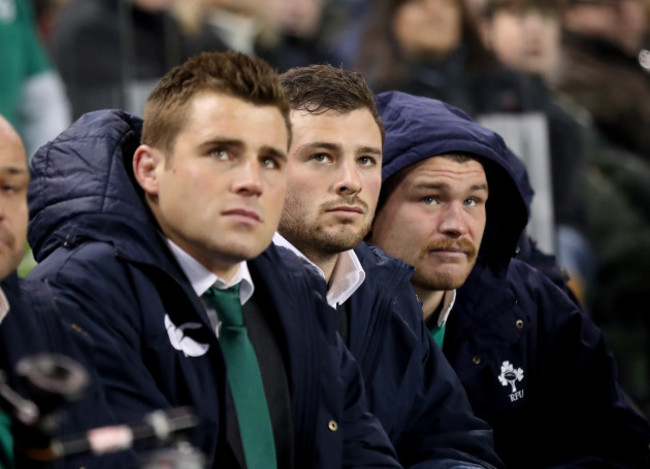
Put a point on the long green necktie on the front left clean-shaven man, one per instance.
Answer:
(245, 379)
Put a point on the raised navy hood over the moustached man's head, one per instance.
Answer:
(418, 128)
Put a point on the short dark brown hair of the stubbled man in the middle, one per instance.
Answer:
(321, 88)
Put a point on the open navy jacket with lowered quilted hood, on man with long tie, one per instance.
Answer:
(98, 244)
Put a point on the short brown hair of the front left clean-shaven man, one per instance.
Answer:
(229, 73)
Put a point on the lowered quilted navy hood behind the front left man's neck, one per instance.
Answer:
(82, 184)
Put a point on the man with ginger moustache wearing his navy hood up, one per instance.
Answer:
(533, 365)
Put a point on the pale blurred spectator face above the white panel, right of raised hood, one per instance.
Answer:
(526, 39)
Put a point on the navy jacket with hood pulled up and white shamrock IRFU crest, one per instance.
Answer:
(533, 365)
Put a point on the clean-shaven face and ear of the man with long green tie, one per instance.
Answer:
(219, 194)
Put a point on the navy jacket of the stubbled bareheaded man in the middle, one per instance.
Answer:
(411, 387)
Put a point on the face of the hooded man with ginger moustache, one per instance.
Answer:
(434, 220)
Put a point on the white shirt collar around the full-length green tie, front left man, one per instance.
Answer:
(202, 279)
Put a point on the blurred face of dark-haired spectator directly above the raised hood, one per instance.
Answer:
(428, 28)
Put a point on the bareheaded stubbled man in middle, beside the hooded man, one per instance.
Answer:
(334, 177)
